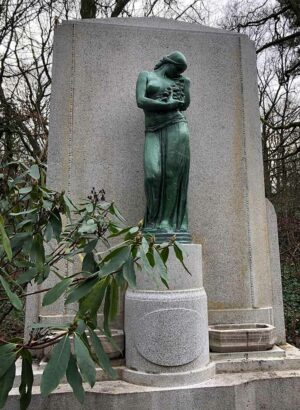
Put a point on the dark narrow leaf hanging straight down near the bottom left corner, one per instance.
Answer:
(26, 380)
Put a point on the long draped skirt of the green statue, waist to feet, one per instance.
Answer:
(166, 168)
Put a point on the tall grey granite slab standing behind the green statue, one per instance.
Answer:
(97, 134)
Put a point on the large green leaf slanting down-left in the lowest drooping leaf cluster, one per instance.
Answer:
(56, 367)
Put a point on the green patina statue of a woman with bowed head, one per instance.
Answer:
(163, 94)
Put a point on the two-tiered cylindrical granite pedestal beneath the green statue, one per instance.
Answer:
(166, 331)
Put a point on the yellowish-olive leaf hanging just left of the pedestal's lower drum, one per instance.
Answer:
(91, 303)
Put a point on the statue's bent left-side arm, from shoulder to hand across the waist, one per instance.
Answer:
(149, 104)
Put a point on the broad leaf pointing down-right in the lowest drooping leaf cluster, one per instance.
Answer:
(84, 360)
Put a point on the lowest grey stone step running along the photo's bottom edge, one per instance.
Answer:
(241, 391)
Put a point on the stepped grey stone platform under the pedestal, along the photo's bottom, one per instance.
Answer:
(260, 382)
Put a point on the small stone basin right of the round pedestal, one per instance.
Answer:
(244, 337)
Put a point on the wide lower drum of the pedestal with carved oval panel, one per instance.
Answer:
(166, 332)
